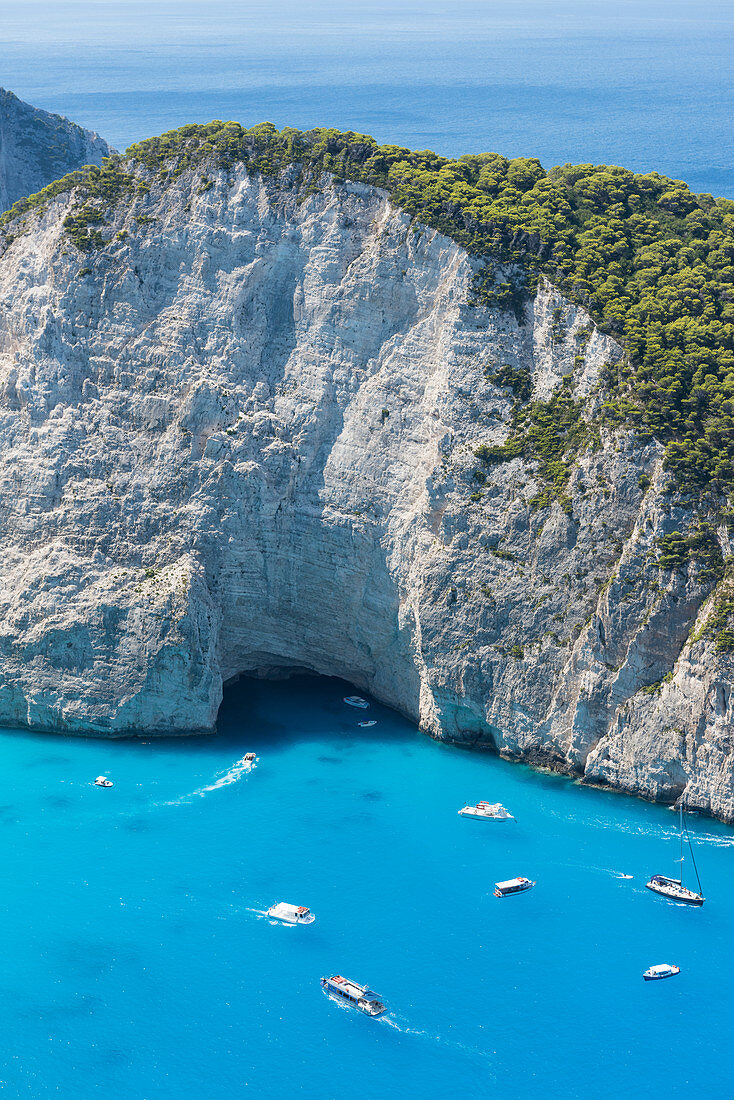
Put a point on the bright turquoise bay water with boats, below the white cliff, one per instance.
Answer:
(136, 963)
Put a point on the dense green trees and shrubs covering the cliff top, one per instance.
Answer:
(652, 262)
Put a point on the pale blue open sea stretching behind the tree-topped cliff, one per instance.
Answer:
(648, 84)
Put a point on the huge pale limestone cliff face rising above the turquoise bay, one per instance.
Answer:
(244, 442)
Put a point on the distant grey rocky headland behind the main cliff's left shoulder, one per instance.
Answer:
(38, 148)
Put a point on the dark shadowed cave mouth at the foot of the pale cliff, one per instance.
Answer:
(303, 707)
